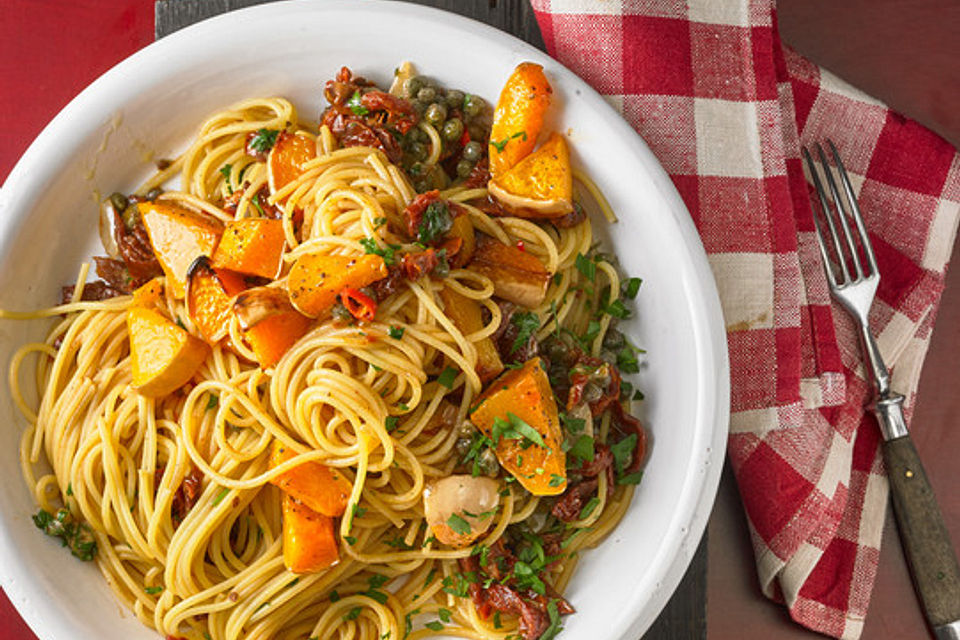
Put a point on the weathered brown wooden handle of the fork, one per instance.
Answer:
(926, 541)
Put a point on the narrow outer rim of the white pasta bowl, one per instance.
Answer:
(713, 410)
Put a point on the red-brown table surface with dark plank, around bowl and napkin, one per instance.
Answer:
(913, 67)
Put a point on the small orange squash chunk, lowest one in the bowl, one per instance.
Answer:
(309, 541)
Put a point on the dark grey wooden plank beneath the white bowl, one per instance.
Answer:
(684, 617)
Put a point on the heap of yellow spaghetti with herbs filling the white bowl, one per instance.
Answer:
(182, 491)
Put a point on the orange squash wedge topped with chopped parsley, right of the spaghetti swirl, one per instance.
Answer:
(526, 393)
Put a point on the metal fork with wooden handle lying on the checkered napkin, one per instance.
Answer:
(853, 283)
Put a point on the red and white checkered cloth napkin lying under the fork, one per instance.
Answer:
(725, 108)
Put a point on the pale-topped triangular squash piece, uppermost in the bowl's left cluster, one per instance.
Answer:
(178, 235)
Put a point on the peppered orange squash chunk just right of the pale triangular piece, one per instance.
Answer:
(251, 245)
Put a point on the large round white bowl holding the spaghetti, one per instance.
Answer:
(153, 102)
